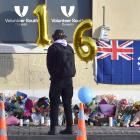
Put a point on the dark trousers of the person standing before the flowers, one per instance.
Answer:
(63, 88)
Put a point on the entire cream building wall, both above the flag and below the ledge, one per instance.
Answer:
(28, 72)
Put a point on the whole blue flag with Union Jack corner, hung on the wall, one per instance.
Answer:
(118, 62)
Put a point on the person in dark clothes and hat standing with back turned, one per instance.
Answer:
(61, 67)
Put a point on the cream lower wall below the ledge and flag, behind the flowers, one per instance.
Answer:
(28, 73)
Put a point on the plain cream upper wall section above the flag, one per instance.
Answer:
(122, 16)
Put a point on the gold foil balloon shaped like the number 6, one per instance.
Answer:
(79, 40)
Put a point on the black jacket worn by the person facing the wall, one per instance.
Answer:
(60, 61)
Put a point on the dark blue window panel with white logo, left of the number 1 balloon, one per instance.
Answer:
(17, 22)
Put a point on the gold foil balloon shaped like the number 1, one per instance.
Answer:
(41, 12)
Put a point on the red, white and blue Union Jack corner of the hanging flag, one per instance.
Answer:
(115, 50)
